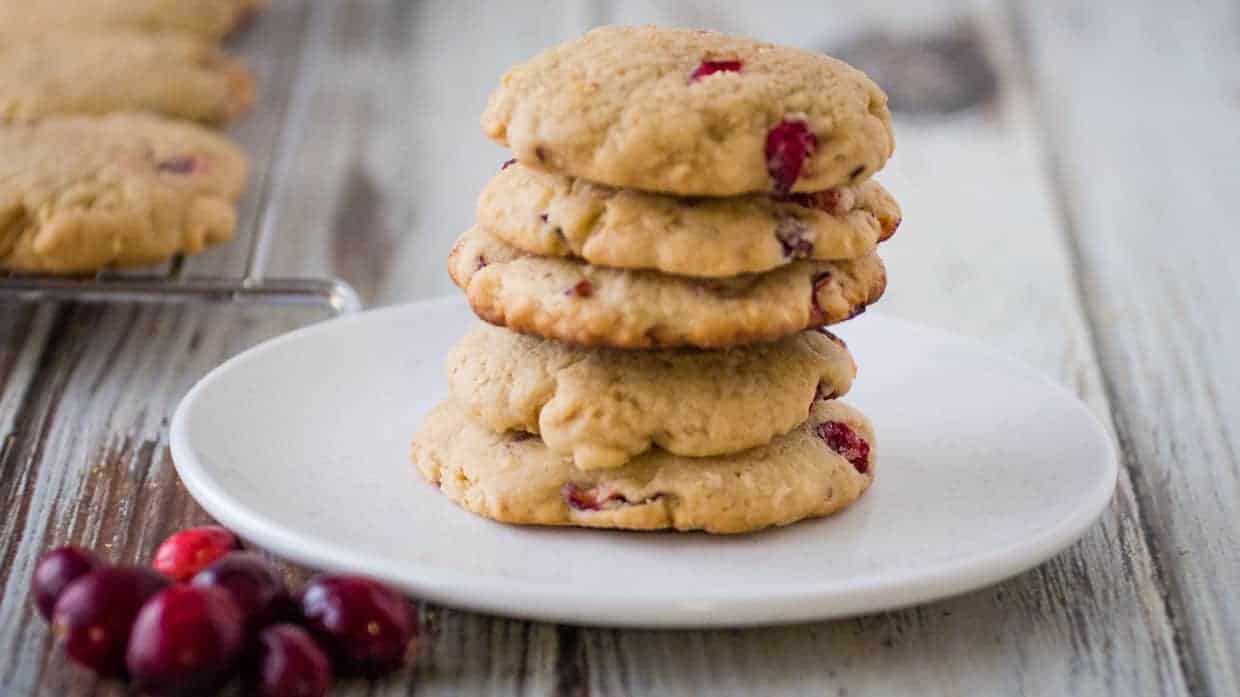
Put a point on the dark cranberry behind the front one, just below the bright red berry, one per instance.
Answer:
(255, 587)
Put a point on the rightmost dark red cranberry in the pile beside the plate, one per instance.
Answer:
(365, 626)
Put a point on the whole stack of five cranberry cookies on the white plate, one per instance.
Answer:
(685, 214)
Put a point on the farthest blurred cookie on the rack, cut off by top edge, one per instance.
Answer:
(210, 19)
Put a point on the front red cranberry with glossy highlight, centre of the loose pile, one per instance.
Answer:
(187, 642)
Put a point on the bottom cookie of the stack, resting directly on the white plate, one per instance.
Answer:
(815, 471)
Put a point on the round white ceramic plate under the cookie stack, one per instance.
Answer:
(984, 471)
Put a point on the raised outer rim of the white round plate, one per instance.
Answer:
(540, 602)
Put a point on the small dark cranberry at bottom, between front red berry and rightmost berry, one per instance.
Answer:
(287, 663)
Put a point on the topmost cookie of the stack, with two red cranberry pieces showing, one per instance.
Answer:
(693, 113)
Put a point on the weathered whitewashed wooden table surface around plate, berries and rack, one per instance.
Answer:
(1069, 178)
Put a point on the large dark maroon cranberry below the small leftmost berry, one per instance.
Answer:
(96, 613)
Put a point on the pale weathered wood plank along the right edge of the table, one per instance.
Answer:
(1140, 105)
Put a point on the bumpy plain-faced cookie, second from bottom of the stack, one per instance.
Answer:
(603, 407)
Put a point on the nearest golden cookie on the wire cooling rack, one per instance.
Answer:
(84, 193)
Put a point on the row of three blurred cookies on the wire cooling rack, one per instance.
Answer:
(104, 115)
